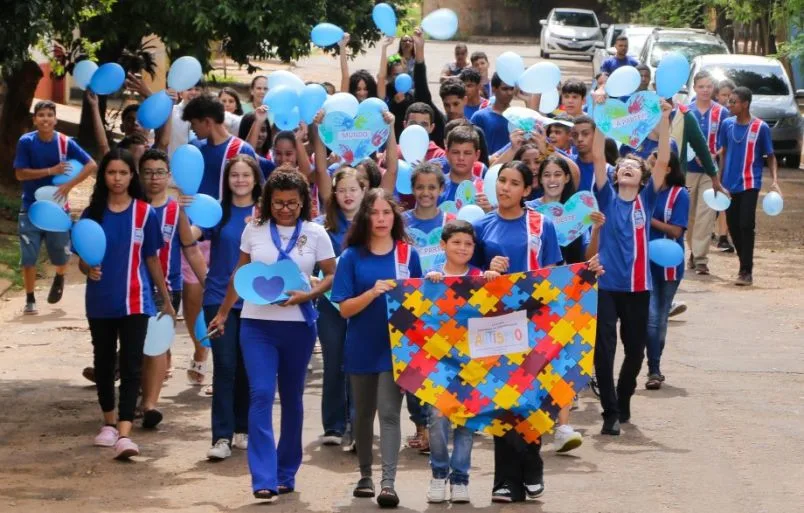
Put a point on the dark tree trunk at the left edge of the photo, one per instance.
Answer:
(15, 115)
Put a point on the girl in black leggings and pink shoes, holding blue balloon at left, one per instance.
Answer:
(118, 292)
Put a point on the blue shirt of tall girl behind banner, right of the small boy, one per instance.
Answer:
(509, 238)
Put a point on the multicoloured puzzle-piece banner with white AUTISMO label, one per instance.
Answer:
(523, 391)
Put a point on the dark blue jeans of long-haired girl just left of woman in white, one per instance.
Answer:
(229, 382)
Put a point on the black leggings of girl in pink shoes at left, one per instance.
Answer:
(131, 332)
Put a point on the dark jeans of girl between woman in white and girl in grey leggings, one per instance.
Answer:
(337, 410)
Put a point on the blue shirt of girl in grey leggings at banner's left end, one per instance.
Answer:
(368, 346)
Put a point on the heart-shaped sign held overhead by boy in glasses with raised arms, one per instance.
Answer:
(629, 122)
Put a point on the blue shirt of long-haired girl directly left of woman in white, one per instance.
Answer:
(224, 252)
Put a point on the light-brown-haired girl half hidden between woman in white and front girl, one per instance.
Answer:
(336, 398)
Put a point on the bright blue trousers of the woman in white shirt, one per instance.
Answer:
(276, 353)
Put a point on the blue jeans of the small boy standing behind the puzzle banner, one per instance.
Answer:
(443, 466)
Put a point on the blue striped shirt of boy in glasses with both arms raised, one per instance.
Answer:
(624, 239)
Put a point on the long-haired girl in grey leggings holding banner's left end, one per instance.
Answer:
(378, 250)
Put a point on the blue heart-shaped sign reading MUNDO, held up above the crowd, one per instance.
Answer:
(354, 138)
